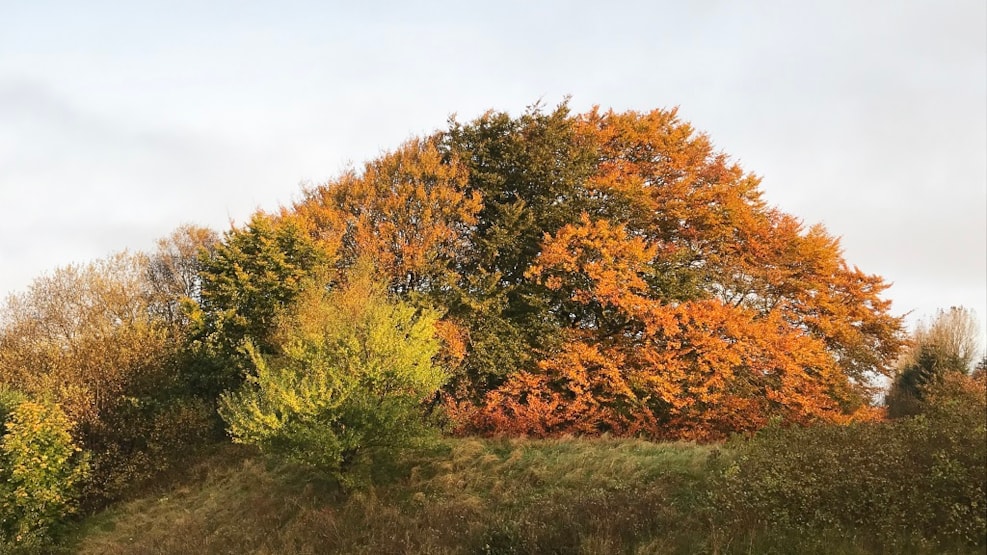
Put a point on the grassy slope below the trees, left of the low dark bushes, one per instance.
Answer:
(465, 496)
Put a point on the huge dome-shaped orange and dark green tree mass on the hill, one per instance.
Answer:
(597, 272)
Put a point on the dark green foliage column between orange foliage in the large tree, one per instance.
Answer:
(530, 172)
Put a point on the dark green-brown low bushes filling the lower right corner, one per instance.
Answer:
(915, 483)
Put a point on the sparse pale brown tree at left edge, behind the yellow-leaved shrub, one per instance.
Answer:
(84, 335)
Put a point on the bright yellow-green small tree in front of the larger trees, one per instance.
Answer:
(354, 370)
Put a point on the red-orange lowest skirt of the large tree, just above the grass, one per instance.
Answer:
(708, 370)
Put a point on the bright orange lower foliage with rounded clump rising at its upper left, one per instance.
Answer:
(697, 369)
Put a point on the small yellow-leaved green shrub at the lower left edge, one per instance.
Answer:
(41, 469)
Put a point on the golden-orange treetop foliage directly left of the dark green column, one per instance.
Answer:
(407, 212)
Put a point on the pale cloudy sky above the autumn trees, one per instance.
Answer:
(120, 121)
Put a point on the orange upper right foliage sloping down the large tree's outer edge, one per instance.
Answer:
(706, 218)
